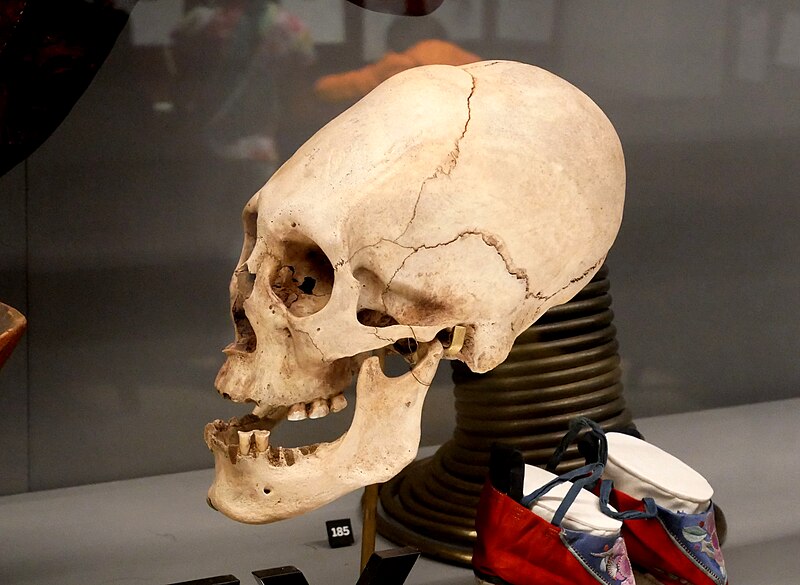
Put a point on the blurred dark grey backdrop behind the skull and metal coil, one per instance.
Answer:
(119, 234)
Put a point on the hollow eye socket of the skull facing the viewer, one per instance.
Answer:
(304, 279)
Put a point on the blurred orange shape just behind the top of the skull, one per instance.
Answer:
(353, 85)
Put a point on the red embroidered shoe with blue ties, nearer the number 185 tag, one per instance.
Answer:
(556, 535)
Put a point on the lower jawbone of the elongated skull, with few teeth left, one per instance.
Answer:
(280, 483)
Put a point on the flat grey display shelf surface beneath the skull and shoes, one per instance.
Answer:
(158, 530)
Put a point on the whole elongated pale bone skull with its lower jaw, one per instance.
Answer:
(438, 217)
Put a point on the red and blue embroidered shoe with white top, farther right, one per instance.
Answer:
(679, 546)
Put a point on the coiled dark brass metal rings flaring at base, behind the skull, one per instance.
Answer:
(565, 365)
